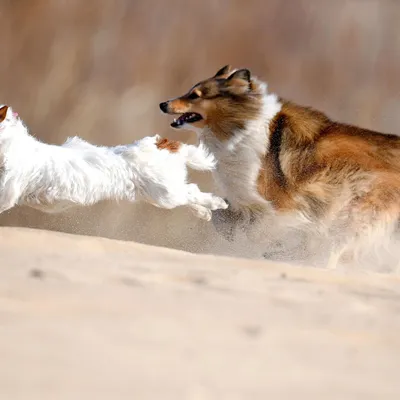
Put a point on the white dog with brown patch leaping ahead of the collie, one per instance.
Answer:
(53, 178)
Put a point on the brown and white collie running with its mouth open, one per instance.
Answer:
(293, 165)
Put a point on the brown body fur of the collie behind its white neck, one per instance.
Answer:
(311, 157)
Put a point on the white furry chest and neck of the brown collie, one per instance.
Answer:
(239, 157)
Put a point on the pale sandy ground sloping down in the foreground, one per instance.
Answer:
(92, 318)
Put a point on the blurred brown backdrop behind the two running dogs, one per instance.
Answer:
(99, 68)
